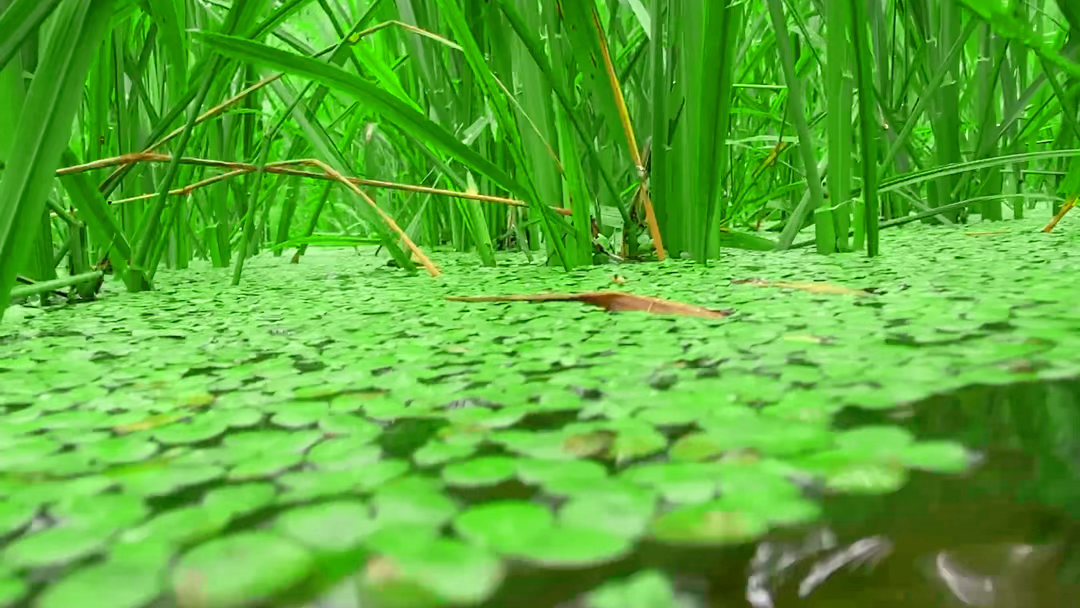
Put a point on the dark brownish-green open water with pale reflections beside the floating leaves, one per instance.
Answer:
(1005, 535)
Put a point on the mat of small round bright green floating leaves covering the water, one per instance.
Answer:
(217, 447)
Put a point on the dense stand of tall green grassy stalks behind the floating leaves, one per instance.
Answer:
(141, 136)
